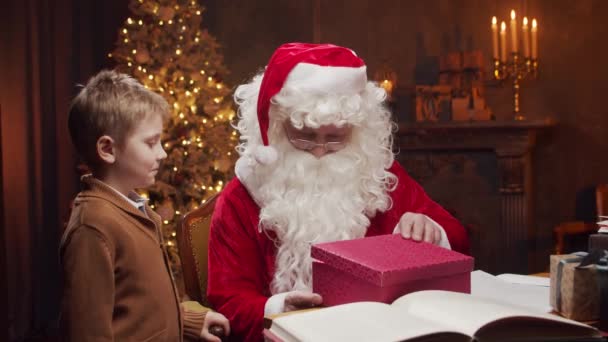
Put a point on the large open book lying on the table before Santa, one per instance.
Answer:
(429, 316)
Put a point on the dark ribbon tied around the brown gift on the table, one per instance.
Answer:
(597, 258)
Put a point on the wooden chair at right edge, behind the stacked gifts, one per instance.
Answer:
(563, 230)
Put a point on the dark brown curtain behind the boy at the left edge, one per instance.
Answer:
(46, 48)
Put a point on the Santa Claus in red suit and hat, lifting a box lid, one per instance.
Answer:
(316, 165)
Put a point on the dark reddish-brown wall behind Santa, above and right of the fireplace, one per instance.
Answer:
(572, 36)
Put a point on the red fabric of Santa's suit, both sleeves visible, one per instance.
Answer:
(242, 259)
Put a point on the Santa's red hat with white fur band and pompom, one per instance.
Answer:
(319, 68)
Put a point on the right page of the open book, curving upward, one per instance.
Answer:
(467, 314)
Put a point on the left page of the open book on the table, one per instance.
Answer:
(361, 321)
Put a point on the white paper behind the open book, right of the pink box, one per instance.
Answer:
(485, 285)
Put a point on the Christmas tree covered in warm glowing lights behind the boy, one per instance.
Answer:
(164, 46)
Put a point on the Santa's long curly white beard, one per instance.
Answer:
(306, 200)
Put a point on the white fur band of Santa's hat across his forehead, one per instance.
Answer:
(327, 79)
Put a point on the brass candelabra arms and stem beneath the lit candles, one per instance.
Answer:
(517, 70)
